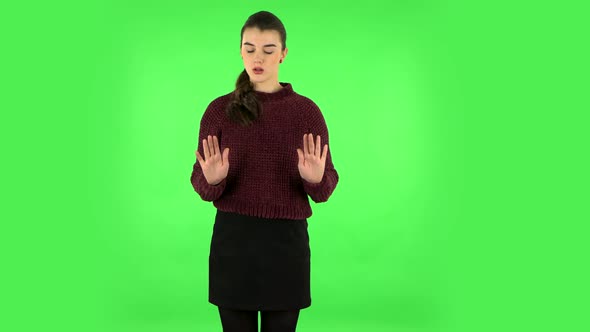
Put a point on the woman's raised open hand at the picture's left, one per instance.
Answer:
(214, 165)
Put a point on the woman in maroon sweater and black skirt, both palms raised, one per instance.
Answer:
(260, 256)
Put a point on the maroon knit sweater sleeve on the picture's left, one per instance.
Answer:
(209, 126)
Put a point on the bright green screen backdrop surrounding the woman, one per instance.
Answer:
(458, 130)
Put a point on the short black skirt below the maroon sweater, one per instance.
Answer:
(259, 263)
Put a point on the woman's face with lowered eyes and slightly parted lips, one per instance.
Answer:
(261, 53)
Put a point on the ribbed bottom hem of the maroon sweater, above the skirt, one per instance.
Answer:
(265, 210)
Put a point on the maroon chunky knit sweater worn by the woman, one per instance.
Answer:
(263, 179)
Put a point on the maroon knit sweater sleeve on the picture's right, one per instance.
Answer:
(321, 191)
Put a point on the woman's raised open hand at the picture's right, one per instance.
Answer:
(311, 163)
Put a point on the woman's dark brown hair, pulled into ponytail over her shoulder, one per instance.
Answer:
(244, 107)
